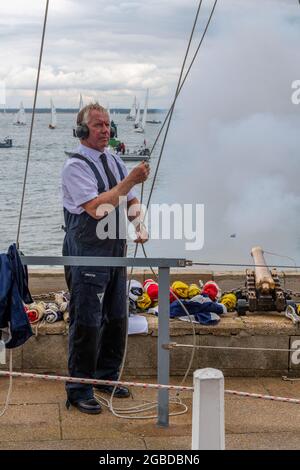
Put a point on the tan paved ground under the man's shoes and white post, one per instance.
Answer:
(38, 419)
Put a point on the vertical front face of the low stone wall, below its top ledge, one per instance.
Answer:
(46, 352)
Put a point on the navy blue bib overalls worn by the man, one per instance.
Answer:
(98, 300)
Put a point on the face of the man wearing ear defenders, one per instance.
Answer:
(99, 127)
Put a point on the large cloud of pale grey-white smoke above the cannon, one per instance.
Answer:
(235, 136)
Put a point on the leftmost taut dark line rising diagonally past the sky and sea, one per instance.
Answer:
(32, 122)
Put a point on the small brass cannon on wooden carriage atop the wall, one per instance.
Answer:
(262, 288)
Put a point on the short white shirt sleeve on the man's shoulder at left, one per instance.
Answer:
(79, 182)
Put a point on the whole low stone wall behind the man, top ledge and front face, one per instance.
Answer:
(47, 350)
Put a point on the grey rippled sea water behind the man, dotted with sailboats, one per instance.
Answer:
(42, 218)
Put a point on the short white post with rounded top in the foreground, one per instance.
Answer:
(208, 429)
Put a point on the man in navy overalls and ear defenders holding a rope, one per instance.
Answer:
(91, 179)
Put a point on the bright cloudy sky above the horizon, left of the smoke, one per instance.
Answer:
(103, 49)
